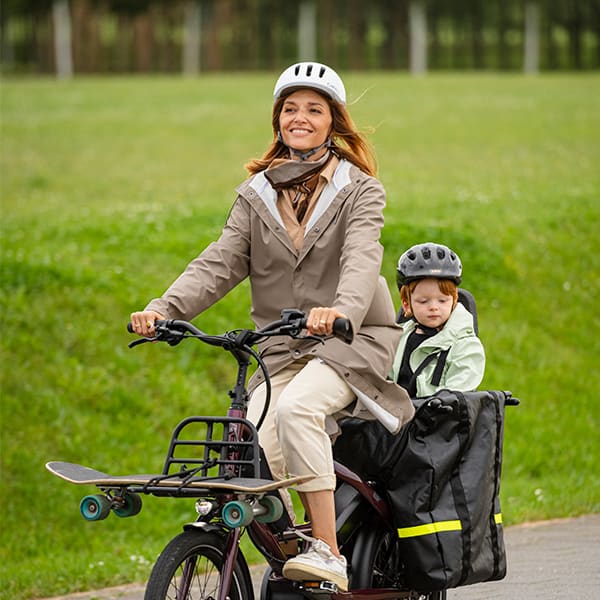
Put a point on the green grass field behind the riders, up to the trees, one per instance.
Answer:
(109, 187)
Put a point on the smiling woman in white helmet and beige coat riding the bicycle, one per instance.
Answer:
(305, 229)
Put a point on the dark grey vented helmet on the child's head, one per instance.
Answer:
(428, 260)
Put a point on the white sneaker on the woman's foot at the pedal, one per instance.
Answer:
(318, 564)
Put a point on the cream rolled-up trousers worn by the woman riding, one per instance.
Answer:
(293, 433)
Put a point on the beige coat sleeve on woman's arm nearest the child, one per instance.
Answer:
(362, 253)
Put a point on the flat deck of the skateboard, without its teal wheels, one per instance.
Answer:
(81, 475)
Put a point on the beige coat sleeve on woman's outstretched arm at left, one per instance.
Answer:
(219, 268)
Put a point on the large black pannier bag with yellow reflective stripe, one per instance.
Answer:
(442, 476)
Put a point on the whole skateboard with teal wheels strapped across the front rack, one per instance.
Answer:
(121, 493)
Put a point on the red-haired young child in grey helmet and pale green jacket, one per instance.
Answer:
(439, 348)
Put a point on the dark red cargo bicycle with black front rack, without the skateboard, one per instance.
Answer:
(366, 535)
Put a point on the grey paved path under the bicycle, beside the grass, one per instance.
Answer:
(550, 560)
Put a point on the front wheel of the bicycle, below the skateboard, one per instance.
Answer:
(190, 566)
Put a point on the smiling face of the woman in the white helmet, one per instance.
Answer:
(305, 121)
